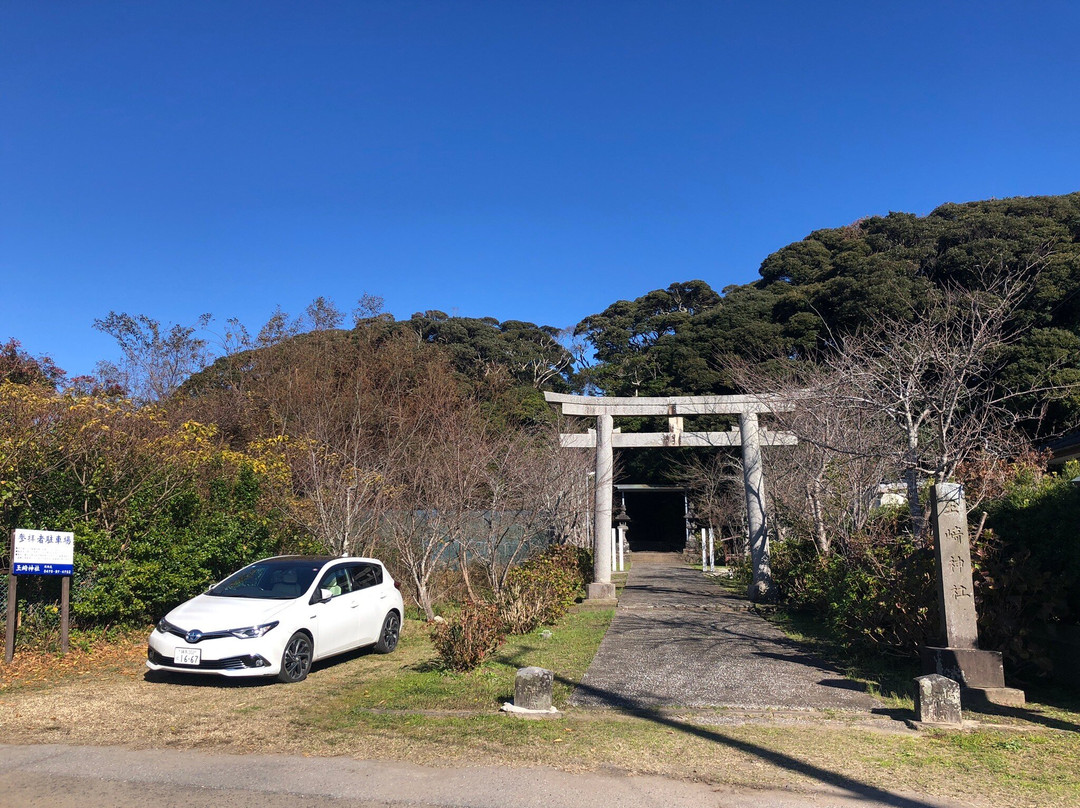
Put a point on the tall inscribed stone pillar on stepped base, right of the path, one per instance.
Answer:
(979, 672)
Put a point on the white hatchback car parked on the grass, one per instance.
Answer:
(277, 616)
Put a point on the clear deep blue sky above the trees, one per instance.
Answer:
(516, 159)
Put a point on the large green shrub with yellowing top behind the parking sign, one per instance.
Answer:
(159, 510)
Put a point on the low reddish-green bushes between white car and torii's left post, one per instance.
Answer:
(538, 592)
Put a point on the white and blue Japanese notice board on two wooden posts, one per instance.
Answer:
(40, 553)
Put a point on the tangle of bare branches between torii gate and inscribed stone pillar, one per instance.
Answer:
(917, 396)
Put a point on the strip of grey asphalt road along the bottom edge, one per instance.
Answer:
(107, 777)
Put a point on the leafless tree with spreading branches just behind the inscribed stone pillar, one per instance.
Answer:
(936, 380)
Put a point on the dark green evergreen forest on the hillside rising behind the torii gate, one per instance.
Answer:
(843, 280)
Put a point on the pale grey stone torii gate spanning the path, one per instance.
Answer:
(605, 439)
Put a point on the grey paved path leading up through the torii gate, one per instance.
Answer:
(680, 640)
